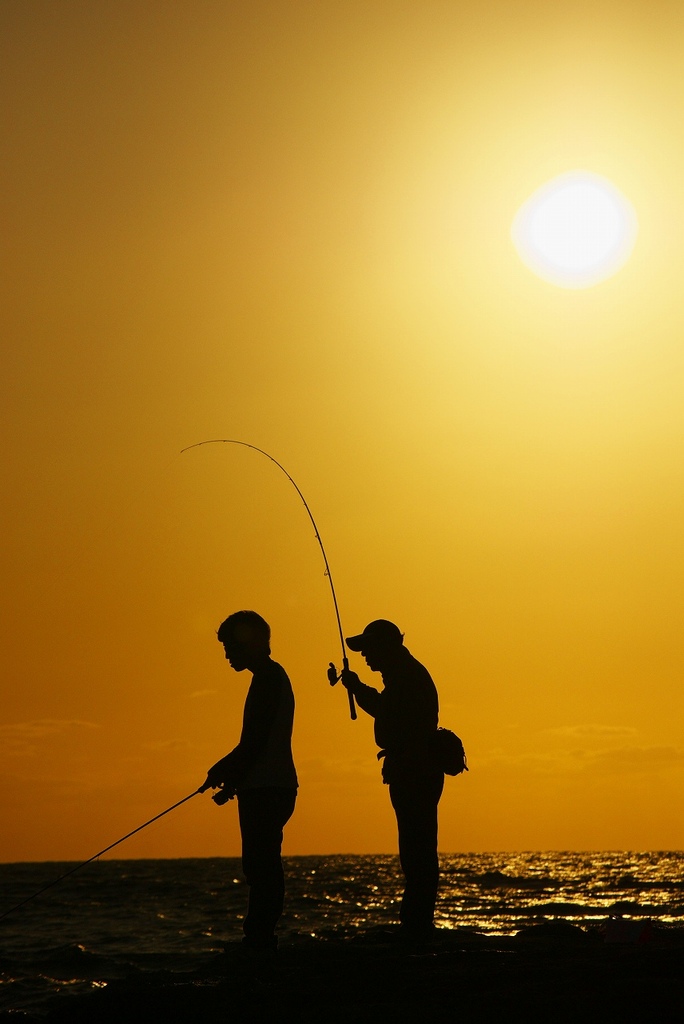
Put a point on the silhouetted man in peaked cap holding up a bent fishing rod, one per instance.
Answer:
(406, 714)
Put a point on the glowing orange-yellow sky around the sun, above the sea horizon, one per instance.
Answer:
(289, 224)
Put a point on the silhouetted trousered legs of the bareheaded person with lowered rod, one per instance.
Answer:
(264, 815)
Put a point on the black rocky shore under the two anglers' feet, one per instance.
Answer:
(552, 973)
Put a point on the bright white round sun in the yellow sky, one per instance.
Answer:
(576, 231)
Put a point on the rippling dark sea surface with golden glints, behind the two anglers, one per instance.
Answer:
(117, 919)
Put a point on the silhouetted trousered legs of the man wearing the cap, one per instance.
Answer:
(416, 807)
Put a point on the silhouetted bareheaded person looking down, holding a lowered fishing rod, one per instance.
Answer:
(261, 772)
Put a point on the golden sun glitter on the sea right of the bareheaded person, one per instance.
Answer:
(497, 894)
